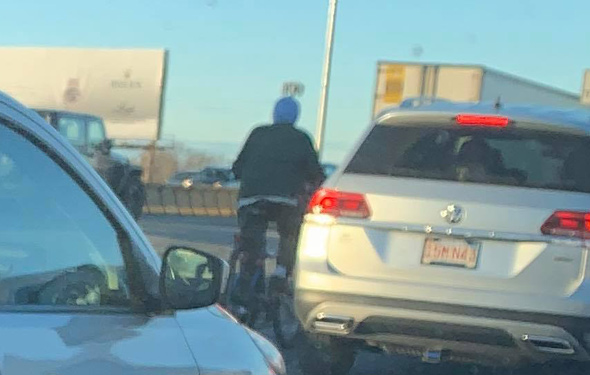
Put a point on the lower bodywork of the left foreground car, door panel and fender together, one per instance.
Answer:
(203, 341)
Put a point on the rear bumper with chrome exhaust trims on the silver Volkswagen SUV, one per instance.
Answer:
(456, 333)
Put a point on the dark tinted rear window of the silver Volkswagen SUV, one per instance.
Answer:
(516, 157)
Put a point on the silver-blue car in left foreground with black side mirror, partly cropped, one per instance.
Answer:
(82, 291)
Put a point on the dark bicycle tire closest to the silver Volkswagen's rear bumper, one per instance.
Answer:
(286, 327)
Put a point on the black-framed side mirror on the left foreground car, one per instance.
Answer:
(191, 278)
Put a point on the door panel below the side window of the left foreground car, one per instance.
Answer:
(92, 344)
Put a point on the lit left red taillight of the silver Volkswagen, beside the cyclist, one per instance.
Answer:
(339, 204)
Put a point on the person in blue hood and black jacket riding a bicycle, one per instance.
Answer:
(275, 166)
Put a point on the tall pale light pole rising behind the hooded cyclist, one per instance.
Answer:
(322, 112)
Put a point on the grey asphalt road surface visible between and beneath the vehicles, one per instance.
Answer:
(215, 235)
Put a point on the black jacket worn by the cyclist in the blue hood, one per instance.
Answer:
(277, 160)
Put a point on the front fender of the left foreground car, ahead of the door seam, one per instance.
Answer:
(219, 343)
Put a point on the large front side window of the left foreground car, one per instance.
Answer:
(56, 246)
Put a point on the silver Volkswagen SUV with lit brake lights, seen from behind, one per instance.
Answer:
(454, 233)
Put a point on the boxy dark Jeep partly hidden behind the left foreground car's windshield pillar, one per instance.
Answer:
(87, 134)
